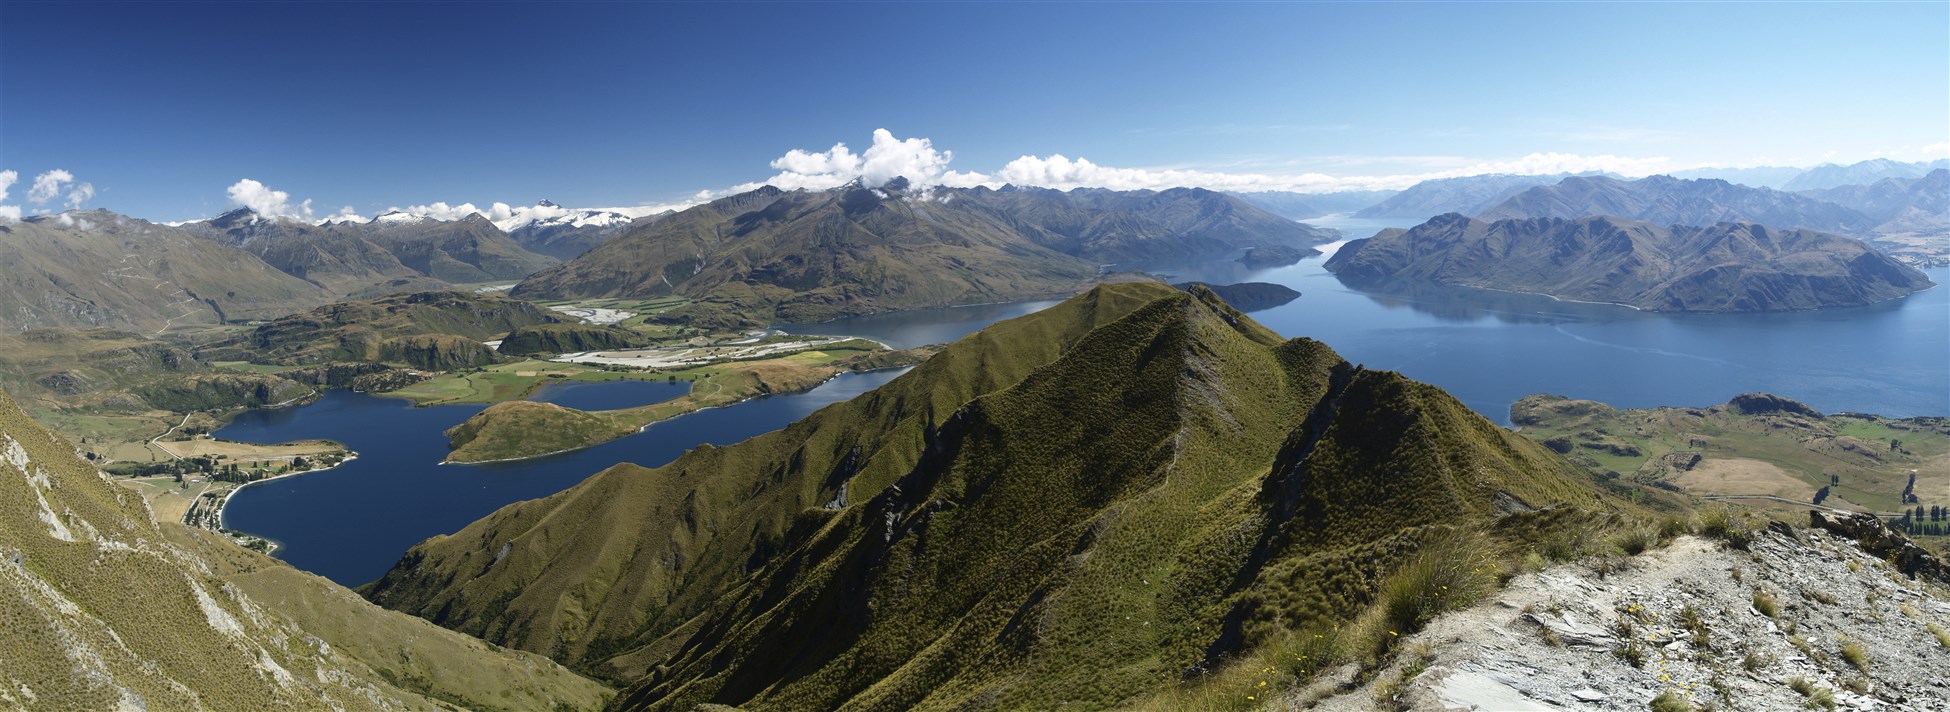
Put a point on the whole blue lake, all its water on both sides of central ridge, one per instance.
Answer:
(1485, 348)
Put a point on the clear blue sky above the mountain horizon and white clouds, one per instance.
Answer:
(163, 108)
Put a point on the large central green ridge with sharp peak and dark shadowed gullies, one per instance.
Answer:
(1075, 506)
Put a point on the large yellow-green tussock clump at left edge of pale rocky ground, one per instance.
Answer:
(1448, 574)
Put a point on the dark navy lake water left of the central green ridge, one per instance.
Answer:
(354, 522)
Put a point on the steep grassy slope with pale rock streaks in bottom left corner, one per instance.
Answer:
(106, 608)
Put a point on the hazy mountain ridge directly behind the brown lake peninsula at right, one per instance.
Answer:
(1666, 200)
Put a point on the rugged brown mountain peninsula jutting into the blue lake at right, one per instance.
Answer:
(1721, 268)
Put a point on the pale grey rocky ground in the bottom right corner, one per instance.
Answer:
(1559, 639)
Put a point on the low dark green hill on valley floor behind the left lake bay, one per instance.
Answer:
(428, 331)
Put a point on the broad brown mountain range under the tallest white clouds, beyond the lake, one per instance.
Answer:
(804, 257)
